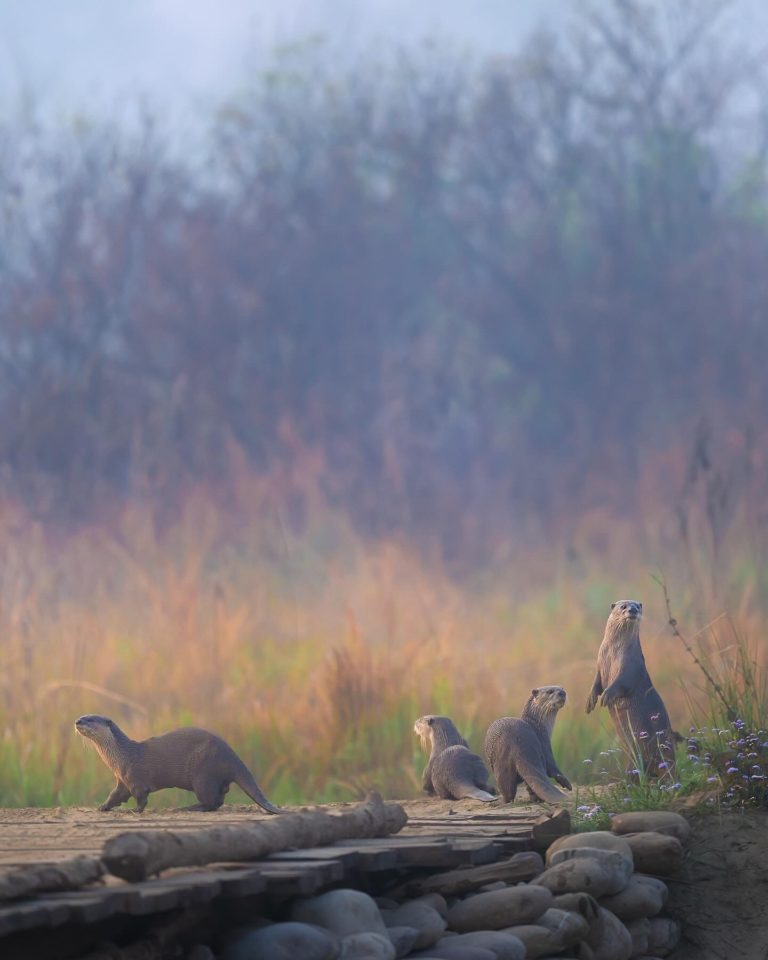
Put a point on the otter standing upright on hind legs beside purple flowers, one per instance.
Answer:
(623, 685)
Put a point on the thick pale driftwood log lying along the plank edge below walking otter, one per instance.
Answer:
(138, 854)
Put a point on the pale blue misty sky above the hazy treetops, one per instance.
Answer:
(76, 53)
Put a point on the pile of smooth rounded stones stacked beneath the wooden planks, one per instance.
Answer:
(599, 896)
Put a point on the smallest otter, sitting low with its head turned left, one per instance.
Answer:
(453, 771)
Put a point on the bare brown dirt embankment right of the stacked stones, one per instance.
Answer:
(721, 896)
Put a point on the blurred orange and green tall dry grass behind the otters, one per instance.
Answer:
(313, 652)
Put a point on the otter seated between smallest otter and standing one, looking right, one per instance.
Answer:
(521, 748)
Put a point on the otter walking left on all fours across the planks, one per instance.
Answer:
(189, 758)
